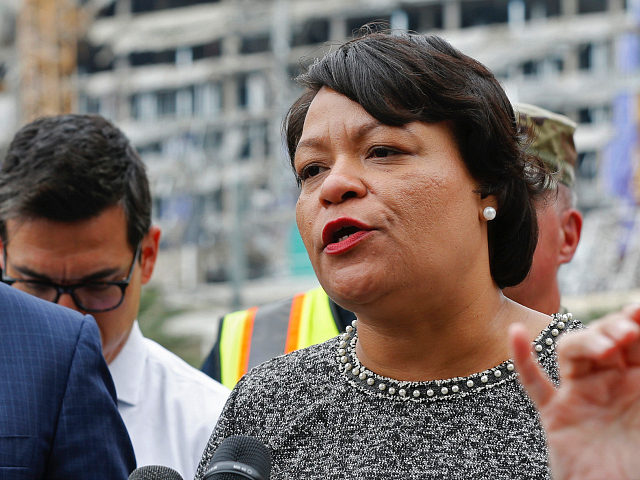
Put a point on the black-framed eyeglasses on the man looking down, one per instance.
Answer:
(91, 297)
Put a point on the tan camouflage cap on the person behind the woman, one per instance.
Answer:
(553, 140)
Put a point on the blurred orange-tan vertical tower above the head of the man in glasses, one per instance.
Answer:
(47, 37)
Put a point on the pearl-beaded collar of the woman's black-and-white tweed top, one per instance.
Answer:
(372, 383)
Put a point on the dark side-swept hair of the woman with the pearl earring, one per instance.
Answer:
(402, 78)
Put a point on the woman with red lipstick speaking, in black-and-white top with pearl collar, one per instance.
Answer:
(416, 209)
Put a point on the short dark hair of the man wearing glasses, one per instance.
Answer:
(69, 168)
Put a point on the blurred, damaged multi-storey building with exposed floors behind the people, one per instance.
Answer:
(201, 88)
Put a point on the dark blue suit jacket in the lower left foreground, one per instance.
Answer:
(58, 413)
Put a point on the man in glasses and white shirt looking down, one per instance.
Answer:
(75, 228)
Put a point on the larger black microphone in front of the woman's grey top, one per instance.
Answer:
(240, 457)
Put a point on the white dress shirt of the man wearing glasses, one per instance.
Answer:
(168, 407)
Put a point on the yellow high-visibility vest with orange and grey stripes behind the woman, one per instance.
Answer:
(250, 337)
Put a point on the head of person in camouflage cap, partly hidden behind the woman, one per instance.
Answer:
(559, 221)
